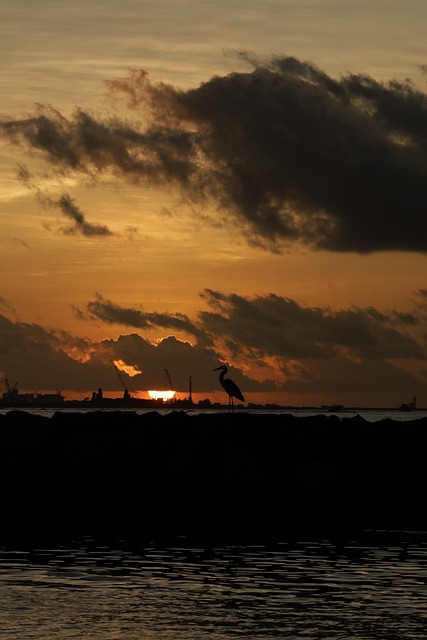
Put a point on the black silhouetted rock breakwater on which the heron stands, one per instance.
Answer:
(124, 474)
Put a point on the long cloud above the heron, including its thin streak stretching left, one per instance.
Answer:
(275, 326)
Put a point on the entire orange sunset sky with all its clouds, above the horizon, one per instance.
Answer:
(185, 184)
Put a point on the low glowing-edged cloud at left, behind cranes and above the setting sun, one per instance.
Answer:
(40, 358)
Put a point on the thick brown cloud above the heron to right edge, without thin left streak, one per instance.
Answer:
(278, 326)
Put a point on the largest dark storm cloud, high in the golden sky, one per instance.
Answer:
(284, 151)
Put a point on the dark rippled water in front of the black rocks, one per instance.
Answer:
(370, 588)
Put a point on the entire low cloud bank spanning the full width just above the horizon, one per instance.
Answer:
(274, 343)
